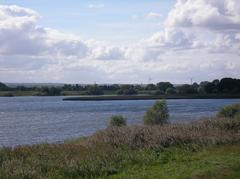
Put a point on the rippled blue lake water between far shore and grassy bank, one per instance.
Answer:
(29, 120)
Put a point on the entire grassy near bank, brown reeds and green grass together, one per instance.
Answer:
(210, 148)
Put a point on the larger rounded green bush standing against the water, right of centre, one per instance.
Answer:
(157, 114)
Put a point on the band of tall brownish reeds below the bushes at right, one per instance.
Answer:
(205, 132)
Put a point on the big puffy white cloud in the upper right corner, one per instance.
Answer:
(218, 20)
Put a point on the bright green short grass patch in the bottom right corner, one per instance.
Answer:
(214, 162)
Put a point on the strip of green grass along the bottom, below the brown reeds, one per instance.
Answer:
(221, 161)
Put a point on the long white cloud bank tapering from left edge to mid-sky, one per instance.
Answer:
(20, 35)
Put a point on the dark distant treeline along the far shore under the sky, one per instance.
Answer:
(223, 86)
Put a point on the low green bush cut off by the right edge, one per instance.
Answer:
(229, 111)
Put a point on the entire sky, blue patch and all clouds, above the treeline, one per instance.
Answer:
(108, 41)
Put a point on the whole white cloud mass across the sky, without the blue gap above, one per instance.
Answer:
(32, 53)
